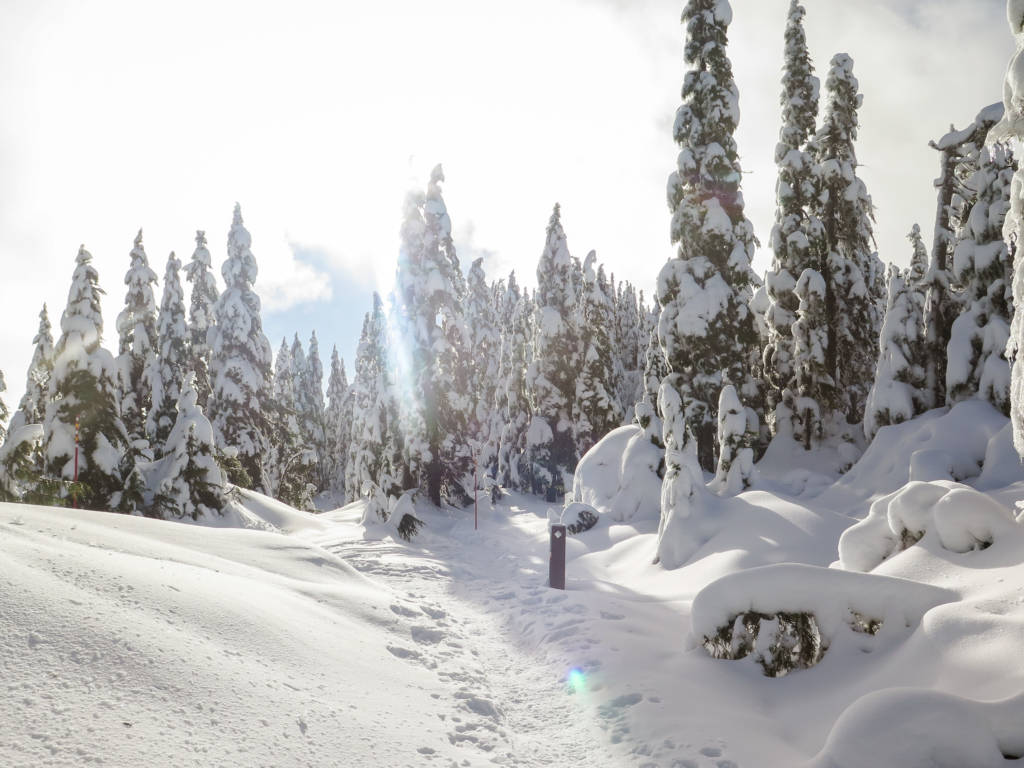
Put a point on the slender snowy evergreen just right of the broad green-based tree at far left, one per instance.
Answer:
(138, 342)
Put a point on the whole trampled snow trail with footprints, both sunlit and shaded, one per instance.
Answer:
(520, 661)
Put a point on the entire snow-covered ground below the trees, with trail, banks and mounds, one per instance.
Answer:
(316, 642)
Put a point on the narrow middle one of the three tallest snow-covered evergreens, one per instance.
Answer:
(795, 229)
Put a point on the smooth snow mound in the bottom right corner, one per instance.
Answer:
(920, 728)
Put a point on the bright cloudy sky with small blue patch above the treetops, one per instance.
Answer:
(318, 117)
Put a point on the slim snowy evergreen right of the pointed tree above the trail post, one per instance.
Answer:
(598, 408)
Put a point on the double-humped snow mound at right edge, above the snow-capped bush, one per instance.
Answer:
(964, 520)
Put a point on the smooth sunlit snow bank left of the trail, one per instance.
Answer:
(134, 642)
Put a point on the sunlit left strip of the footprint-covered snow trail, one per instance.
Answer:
(506, 707)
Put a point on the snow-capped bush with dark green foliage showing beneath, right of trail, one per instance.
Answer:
(786, 618)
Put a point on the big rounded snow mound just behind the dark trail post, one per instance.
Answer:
(619, 477)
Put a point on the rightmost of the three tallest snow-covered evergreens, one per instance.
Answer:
(852, 272)
